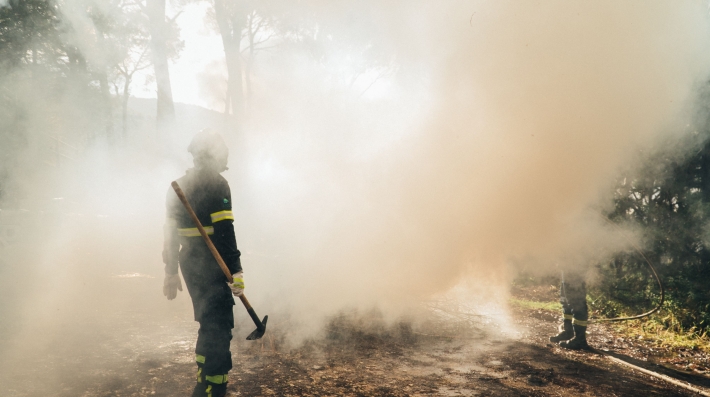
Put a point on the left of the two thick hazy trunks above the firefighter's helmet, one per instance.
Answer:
(158, 38)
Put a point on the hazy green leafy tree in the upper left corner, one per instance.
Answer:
(48, 89)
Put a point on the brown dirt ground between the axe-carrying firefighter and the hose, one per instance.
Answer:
(482, 365)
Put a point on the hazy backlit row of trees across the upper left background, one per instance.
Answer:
(67, 67)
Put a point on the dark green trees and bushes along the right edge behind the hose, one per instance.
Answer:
(668, 201)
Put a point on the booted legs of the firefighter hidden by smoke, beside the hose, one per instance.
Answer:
(573, 297)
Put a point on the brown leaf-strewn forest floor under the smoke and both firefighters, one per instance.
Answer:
(357, 354)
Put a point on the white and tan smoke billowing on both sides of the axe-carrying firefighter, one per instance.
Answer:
(482, 135)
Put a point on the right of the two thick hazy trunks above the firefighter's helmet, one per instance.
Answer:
(231, 19)
